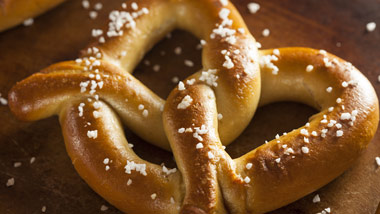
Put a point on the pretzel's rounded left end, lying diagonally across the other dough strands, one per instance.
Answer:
(60, 83)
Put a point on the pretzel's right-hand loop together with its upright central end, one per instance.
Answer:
(289, 166)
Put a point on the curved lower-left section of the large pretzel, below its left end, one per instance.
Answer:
(129, 190)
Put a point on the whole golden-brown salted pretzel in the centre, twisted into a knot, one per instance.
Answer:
(208, 109)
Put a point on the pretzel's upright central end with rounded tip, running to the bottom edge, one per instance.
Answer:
(198, 169)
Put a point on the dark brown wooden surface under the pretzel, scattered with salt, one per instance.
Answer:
(337, 26)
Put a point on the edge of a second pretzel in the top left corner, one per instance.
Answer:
(14, 12)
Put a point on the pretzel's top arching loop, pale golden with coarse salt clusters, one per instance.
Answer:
(236, 106)
